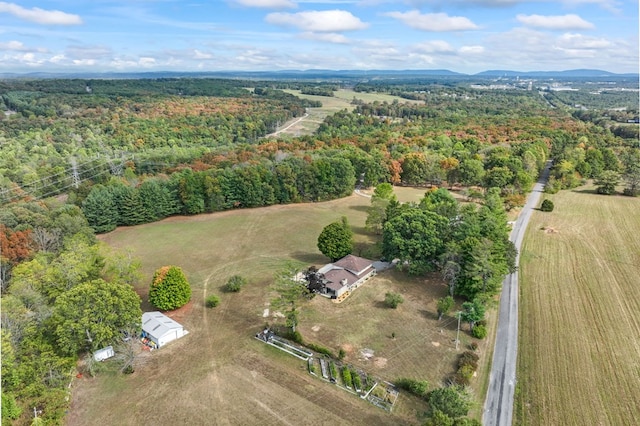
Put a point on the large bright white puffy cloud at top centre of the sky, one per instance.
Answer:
(318, 21)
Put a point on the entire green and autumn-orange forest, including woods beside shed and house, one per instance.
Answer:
(79, 157)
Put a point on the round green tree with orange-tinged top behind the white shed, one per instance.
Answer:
(169, 289)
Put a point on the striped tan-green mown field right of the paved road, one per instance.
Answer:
(579, 348)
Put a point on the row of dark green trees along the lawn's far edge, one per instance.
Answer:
(191, 192)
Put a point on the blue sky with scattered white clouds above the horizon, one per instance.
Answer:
(191, 35)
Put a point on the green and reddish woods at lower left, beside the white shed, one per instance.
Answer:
(62, 295)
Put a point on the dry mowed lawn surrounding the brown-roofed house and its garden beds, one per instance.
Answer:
(220, 374)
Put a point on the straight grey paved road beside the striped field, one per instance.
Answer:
(498, 407)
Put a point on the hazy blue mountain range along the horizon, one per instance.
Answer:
(328, 74)
